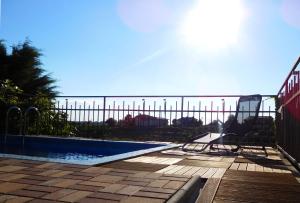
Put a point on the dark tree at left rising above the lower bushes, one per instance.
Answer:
(23, 67)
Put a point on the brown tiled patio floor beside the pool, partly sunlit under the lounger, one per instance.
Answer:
(248, 176)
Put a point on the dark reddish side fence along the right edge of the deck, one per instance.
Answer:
(288, 116)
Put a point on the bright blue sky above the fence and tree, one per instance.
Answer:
(132, 47)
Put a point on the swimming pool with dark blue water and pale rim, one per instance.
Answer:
(75, 150)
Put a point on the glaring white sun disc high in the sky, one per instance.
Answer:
(212, 24)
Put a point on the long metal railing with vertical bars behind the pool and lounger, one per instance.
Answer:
(154, 111)
